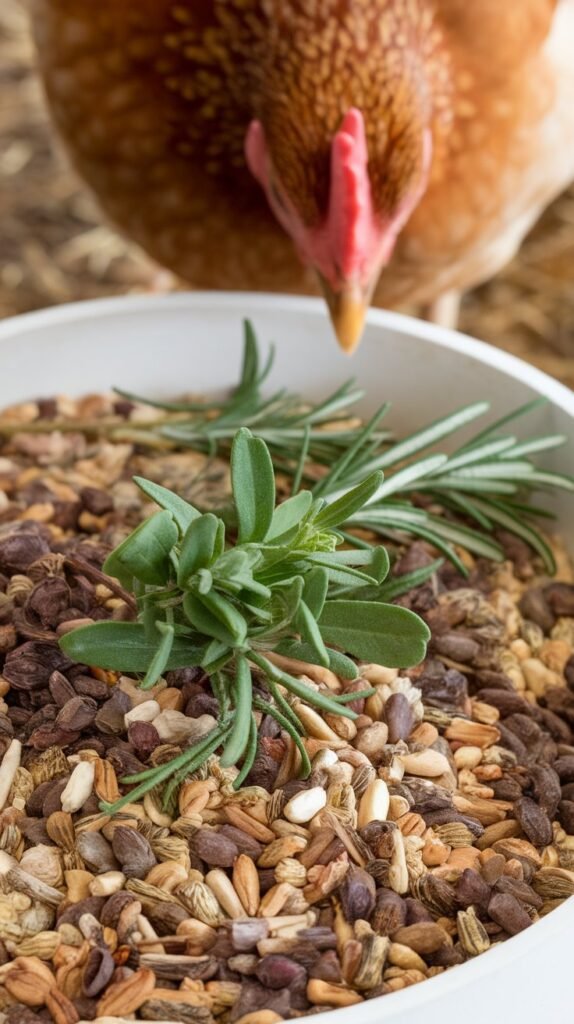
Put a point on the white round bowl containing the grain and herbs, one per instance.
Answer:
(162, 346)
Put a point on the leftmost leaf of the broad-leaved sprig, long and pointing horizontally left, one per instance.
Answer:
(126, 648)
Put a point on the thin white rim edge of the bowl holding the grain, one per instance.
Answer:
(473, 971)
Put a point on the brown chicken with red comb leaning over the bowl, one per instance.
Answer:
(391, 151)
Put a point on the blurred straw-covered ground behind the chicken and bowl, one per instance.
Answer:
(56, 247)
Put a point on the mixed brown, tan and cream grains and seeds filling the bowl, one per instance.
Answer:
(436, 826)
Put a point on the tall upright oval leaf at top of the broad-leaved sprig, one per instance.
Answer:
(254, 486)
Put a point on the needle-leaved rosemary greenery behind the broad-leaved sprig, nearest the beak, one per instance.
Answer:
(488, 484)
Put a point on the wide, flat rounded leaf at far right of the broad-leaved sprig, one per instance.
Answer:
(381, 633)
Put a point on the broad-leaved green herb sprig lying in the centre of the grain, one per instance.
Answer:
(286, 586)
